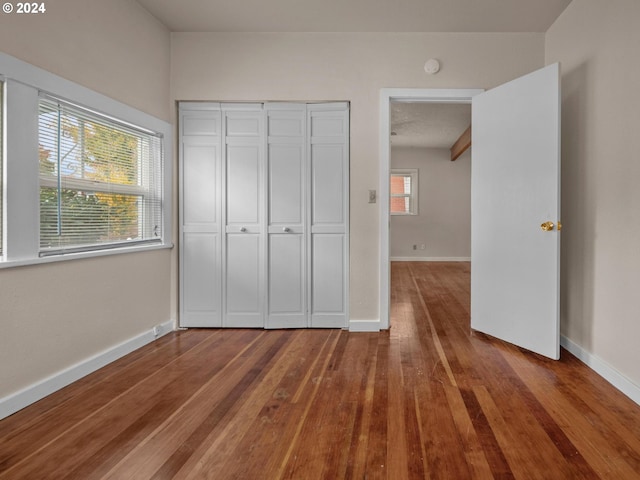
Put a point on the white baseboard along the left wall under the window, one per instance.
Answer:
(17, 401)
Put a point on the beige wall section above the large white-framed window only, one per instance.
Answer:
(115, 48)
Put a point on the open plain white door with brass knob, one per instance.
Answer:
(515, 184)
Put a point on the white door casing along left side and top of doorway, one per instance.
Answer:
(424, 95)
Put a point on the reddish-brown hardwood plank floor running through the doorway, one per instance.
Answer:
(427, 399)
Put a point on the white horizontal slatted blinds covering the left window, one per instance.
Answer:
(100, 180)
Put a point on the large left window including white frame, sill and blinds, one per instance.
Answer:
(83, 174)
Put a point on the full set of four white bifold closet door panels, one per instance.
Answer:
(264, 215)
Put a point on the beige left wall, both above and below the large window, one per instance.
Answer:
(56, 315)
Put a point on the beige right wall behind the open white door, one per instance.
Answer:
(597, 43)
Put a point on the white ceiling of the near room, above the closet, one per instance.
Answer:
(356, 15)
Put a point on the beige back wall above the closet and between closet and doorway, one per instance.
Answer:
(353, 67)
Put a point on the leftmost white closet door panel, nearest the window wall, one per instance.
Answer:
(200, 215)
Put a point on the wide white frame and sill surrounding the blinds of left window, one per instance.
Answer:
(24, 83)
